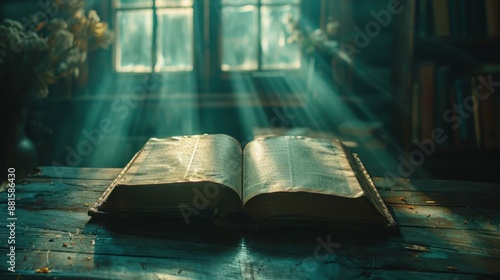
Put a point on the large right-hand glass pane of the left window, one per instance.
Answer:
(175, 40)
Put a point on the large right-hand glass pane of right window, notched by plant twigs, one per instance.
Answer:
(276, 52)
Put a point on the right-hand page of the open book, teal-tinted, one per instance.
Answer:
(297, 164)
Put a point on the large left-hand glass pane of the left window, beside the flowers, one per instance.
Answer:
(134, 48)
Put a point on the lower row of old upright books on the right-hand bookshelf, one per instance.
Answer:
(463, 106)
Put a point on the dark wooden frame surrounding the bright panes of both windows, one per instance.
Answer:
(207, 70)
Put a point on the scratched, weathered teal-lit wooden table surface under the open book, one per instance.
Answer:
(447, 230)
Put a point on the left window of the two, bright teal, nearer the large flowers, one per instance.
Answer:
(154, 35)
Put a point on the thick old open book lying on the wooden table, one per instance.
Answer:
(273, 181)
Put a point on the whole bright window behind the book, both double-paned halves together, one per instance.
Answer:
(158, 35)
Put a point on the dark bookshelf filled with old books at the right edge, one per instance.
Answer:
(449, 81)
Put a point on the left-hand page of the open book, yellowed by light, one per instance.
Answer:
(214, 158)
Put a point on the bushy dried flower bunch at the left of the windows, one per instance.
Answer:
(33, 58)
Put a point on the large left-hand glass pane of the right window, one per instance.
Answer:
(239, 38)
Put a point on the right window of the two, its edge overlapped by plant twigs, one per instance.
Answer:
(255, 33)
